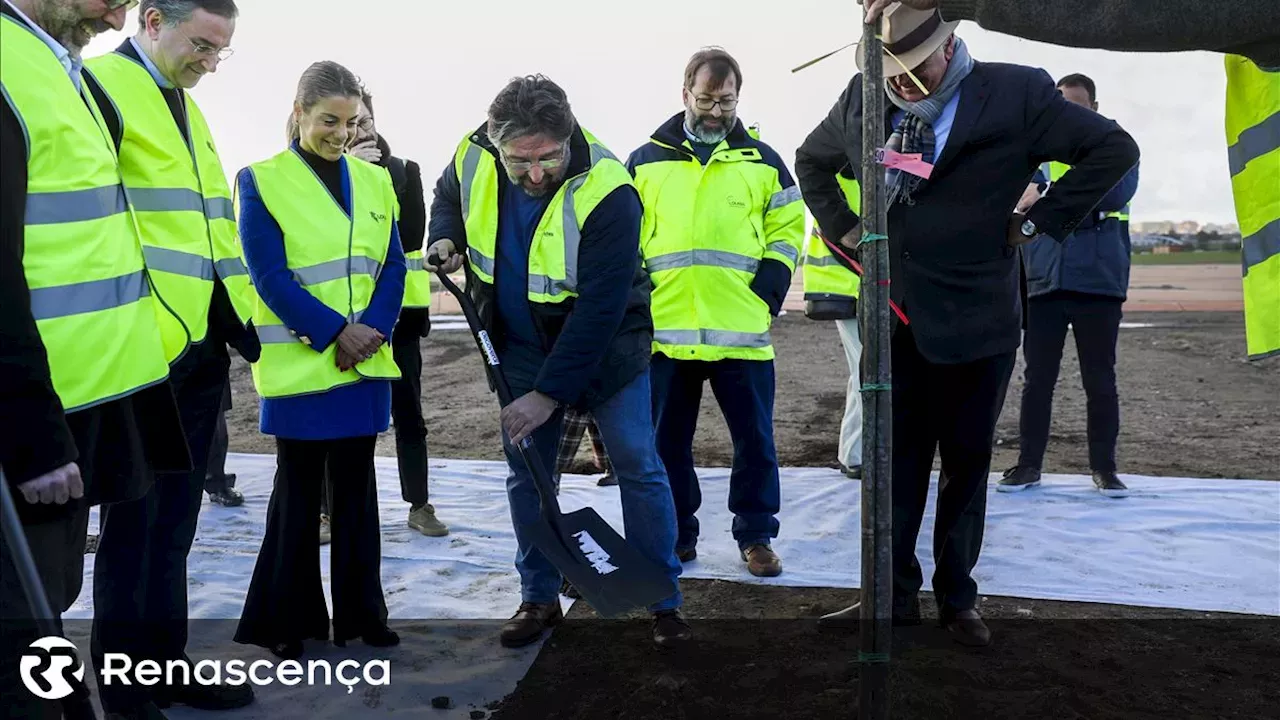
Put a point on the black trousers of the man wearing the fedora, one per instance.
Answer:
(950, 411)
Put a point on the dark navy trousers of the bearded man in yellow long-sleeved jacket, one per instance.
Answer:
(744, 390)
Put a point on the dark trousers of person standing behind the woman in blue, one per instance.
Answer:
(412, 457)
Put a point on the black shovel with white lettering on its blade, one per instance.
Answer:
(610, 575)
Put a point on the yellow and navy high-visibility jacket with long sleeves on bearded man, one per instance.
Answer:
(707, 233)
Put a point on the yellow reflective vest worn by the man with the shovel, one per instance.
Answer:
(555, 249)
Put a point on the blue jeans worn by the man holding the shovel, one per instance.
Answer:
(648, 513)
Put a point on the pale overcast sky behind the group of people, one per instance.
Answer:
(436, 66)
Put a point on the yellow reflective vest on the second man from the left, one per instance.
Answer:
(181, 198)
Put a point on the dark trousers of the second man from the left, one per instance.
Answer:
(140, 569)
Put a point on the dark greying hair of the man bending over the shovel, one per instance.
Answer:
(531, 106)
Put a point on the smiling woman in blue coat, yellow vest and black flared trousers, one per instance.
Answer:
(321, 241)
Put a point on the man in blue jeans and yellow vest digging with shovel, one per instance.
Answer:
(548, 224)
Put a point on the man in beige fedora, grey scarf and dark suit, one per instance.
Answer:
(981, 130)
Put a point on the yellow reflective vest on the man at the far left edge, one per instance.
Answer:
(90, 295)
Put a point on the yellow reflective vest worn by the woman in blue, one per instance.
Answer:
(335, 257)
